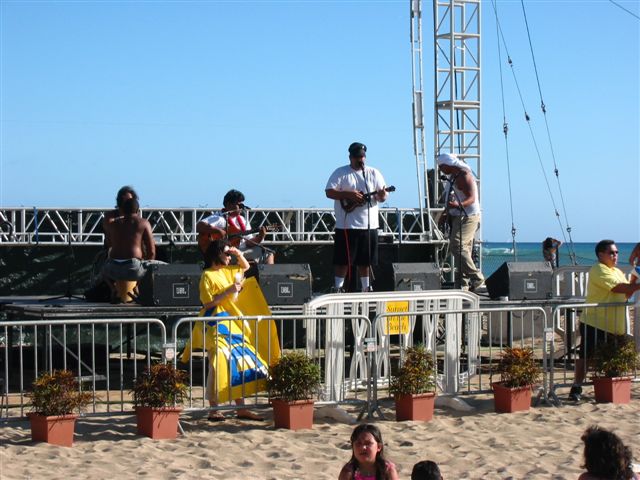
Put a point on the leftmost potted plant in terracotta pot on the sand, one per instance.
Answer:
(54, 398)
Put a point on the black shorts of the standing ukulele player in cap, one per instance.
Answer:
(355, 247)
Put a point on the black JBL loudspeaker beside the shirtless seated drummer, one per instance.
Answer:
(170, 285)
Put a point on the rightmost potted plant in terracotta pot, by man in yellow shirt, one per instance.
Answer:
(612, 361)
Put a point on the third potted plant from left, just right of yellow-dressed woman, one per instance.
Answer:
(293, 380)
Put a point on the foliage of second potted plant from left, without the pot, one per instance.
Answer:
(160, 386)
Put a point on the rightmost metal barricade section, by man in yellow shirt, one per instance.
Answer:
(565, 353)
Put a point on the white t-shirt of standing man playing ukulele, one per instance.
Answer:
(345, 179)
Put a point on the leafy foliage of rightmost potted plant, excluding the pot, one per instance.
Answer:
(615, 358)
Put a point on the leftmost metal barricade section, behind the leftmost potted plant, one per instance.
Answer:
(105, 354)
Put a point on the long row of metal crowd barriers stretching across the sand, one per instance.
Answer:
(368, 333)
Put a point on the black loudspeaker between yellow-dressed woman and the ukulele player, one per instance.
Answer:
(285, 284)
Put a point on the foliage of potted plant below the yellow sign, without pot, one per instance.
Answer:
(416, 375)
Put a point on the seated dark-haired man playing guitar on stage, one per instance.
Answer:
(230, 223)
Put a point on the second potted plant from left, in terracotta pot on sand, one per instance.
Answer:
(156, 392)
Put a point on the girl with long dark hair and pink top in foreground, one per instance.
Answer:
(367, 457)
